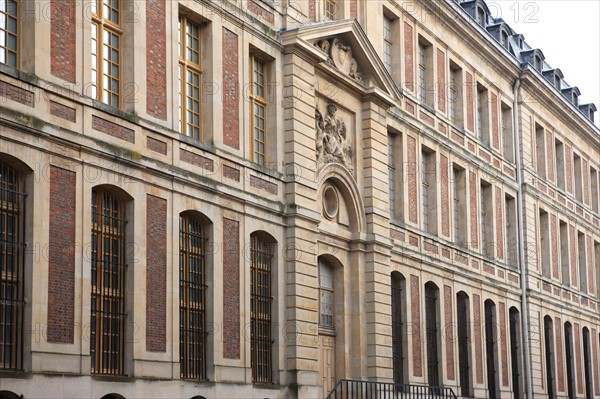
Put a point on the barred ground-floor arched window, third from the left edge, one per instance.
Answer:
(192, 294)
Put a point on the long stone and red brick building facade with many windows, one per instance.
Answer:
(345, 142)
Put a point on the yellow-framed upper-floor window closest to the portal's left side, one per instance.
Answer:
(259, 111)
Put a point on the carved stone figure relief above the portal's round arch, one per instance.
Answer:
(331, 143)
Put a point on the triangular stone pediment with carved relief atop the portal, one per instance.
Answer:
(345, 46)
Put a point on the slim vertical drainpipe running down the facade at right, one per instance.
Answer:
(524, 305)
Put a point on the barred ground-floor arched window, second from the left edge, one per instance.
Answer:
(107, 338)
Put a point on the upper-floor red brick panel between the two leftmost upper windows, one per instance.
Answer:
(62, 39)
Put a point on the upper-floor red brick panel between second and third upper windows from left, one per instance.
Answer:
(156, 59)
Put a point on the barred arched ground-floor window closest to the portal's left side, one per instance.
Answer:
(261, 300)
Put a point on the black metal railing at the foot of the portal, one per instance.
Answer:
(355, 389)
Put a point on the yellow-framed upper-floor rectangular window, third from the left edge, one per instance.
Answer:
(190, 78)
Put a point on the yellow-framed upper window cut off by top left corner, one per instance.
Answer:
(9, 31)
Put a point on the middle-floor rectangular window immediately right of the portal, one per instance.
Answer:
(395, 176)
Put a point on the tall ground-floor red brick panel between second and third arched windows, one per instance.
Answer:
(156, 274)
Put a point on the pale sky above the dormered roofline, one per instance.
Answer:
(567, 32)
